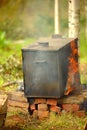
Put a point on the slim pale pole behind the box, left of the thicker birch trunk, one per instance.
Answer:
(56, 17)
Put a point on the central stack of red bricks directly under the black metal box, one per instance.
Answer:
(41, 108)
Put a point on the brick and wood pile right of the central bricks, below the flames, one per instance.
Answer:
(76, 104)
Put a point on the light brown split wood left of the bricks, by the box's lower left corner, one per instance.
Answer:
(16, 100)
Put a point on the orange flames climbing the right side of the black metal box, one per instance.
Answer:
(72, 69)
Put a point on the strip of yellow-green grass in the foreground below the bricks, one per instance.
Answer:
(65, 121)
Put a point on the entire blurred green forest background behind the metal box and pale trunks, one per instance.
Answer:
(31, 19)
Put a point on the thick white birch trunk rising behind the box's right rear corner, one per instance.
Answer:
(74, 14)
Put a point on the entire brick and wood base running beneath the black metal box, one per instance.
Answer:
(41, 108)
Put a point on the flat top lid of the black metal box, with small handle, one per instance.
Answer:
(50, 44)
